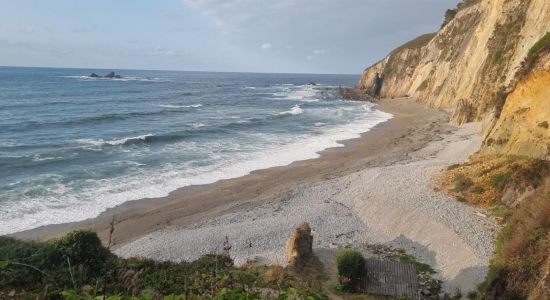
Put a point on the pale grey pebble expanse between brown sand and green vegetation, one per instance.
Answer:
(394, 205)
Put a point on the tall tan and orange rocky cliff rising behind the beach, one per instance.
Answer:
(475, 66)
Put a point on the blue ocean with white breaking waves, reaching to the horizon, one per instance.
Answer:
(73, 146)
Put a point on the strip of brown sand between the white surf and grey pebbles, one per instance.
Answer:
(355, 154)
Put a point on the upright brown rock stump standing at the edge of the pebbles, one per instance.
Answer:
(299, 247)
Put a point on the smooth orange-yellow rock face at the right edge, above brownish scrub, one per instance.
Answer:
(524, 124)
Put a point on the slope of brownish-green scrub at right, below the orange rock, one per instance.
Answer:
(517, 191)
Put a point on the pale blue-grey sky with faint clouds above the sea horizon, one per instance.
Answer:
(279, 36)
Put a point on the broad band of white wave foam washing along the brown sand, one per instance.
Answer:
(67, 205)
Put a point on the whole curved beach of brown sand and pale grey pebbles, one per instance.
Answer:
(377, 189)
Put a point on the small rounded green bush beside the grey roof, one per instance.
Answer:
(351, 265)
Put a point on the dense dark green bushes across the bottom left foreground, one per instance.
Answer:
(77, 267)
